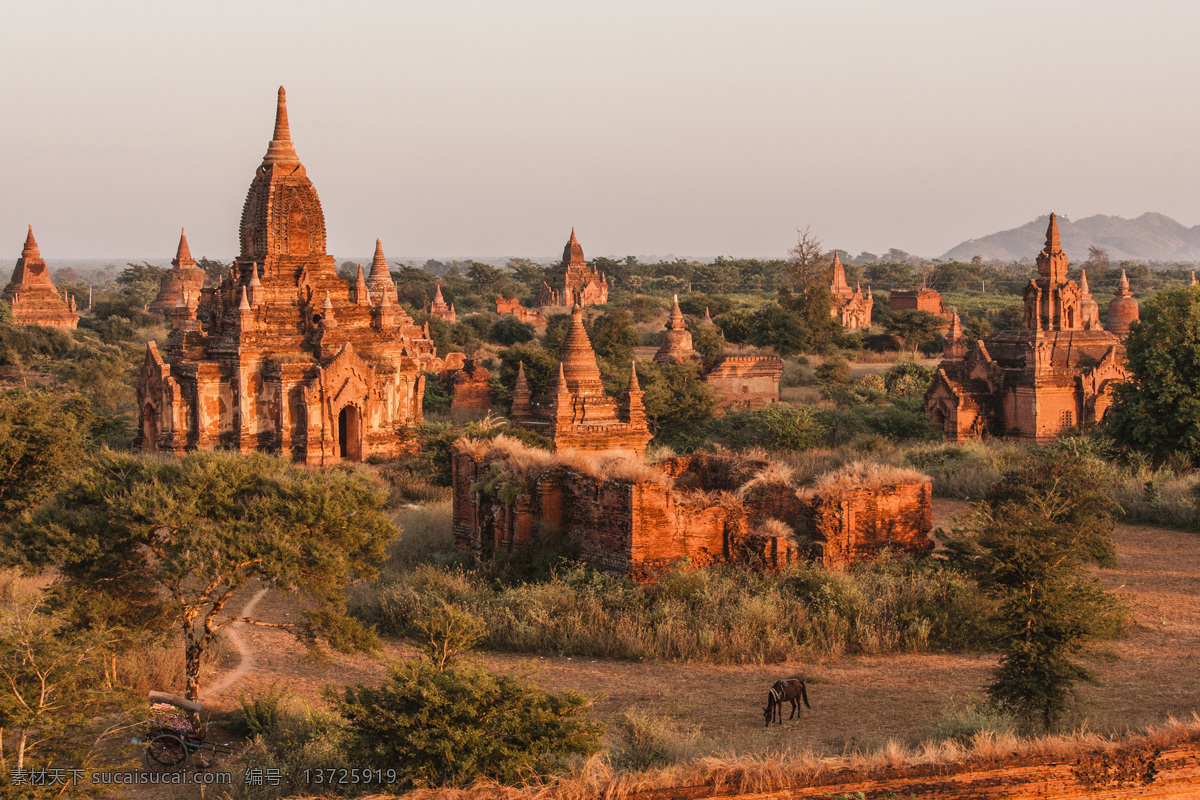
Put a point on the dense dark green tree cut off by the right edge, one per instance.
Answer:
(1159, 411)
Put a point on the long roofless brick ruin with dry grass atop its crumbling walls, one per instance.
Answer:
(637, 520)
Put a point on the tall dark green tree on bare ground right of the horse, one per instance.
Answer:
(1027, 546)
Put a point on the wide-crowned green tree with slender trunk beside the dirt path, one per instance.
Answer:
(205, 527)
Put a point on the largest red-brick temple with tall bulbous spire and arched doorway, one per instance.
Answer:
(284, 356)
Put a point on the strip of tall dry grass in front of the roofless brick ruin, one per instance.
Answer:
(713, 616)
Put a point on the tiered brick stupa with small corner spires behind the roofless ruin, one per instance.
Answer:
(577, 412)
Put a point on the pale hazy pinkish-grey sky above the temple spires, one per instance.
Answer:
(458, 129)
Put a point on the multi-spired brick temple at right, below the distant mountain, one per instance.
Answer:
(1057, 372)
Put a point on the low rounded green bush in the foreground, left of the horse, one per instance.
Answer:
(449, 729)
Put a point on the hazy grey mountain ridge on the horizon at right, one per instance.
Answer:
(1151, 237)
